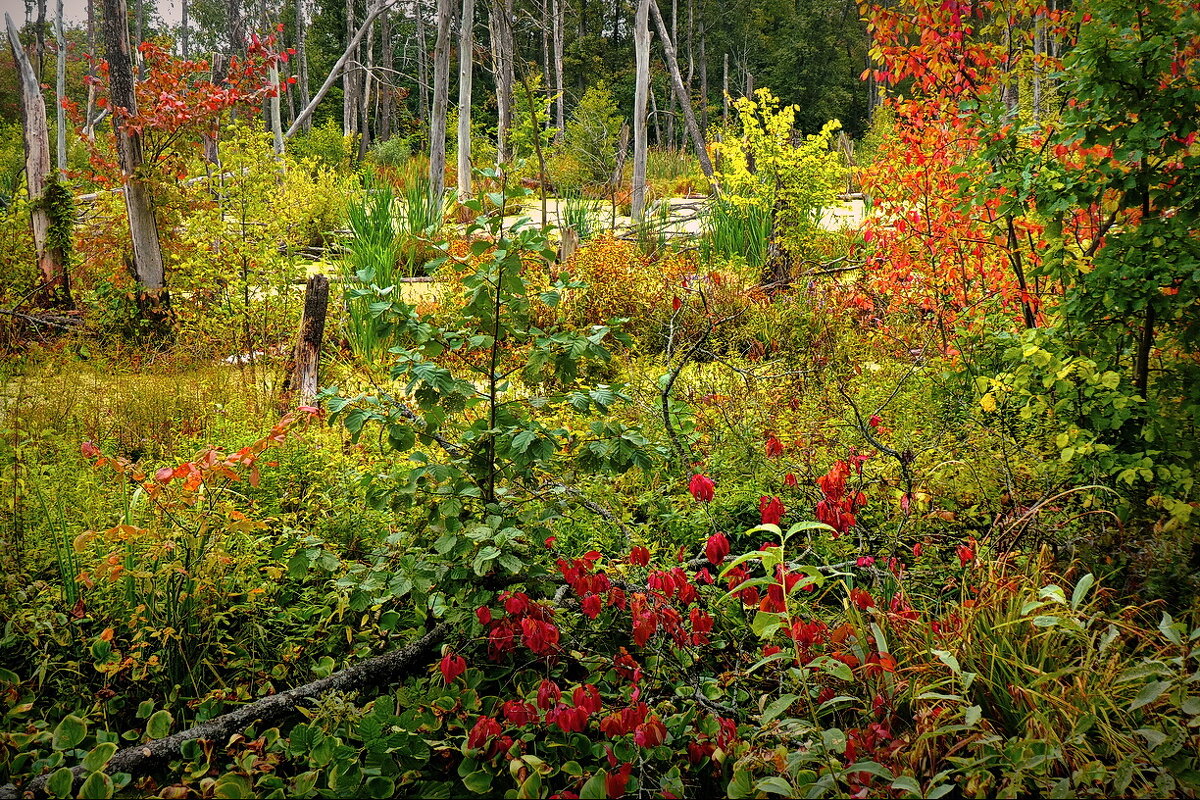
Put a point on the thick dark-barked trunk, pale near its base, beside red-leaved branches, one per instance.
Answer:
(148, 263)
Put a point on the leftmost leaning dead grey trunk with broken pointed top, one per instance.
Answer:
(51, 256)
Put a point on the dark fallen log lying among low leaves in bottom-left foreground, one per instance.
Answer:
(269, 711)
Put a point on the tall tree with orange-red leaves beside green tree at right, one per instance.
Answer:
(943, 238)
